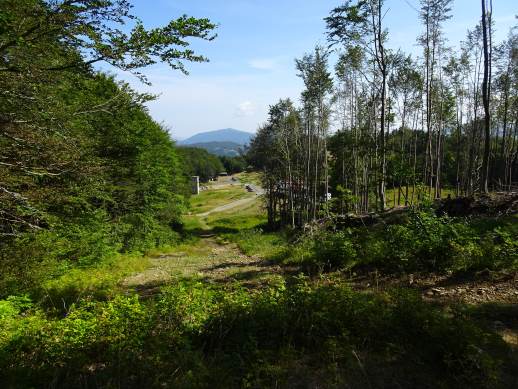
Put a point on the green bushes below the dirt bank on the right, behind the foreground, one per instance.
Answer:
(419, 242)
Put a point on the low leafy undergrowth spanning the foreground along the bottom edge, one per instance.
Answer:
(194, 335)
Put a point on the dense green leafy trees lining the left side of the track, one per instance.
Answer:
(84, 171)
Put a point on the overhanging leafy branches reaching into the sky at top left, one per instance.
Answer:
(95, 30)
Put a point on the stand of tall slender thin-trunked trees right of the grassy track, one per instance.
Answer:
(411, 127)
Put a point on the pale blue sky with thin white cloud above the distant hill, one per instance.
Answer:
(252, 60)
